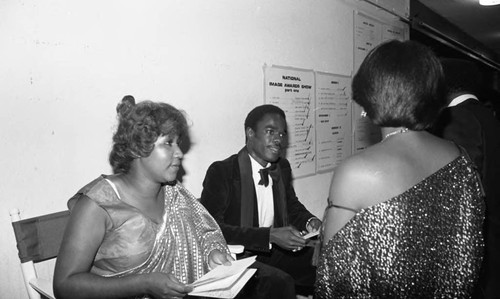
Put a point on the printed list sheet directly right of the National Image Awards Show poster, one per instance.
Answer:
(333, 120)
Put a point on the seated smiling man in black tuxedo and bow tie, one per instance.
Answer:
(251, 196)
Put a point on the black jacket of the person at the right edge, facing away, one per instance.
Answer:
(473, 126)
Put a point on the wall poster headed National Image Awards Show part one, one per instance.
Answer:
(293, 90)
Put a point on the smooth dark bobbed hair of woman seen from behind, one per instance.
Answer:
(400, 84)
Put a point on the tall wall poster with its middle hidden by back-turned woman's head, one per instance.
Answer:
(367, 35)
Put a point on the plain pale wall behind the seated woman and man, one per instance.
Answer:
(64, 65)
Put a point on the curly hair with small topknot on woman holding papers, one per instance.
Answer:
(139, 126)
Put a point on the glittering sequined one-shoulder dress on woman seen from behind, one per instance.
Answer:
(424, 243)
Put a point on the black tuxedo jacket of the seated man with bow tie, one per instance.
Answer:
(229, 195)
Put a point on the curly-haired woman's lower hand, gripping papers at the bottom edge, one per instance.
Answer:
(162, 285)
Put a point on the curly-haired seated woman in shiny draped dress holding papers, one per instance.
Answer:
(138, 232)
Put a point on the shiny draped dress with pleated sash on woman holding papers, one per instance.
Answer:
(134, 243)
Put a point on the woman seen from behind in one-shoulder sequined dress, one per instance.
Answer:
(405, 215)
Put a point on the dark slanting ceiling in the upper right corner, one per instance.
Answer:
(480, 23)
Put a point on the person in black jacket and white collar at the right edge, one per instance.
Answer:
(467, 122)
